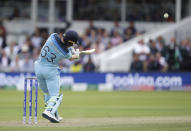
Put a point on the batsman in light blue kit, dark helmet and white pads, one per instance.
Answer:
(57, 47)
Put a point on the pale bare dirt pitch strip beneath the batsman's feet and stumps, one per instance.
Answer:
(85, 122)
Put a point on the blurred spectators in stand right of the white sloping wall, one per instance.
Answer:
(159, 56)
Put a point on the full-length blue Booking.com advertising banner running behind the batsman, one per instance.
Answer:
(119, 81)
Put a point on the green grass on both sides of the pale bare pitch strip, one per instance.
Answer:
(94, 104)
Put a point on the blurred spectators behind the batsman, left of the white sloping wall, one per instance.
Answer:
(19, 57)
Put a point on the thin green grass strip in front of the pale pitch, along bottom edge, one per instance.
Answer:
(155, 127)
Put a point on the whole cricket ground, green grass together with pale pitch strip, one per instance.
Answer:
(104, 111)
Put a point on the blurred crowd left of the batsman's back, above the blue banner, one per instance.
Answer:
(19, 57)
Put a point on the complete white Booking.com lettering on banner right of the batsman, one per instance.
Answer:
(137, 80)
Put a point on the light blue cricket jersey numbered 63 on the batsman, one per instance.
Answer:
(53, 51)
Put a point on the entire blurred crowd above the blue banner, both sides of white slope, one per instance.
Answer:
(154, 56)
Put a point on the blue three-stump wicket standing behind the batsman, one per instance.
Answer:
(30, 100)
